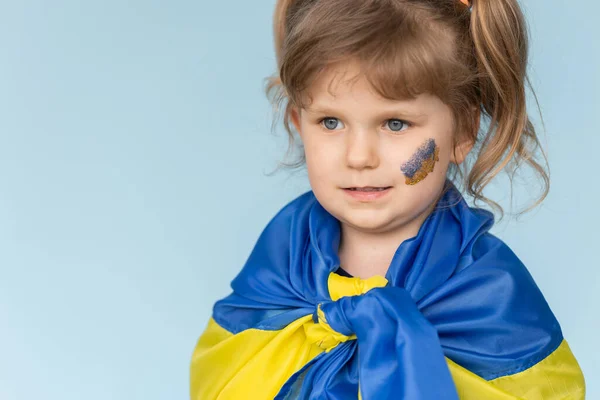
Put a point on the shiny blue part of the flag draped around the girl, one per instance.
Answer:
(454, 290)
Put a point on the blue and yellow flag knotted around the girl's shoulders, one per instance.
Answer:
(457, 316)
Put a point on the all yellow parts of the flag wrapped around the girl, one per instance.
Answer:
(254, 364)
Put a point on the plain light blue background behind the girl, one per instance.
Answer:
(134, 138)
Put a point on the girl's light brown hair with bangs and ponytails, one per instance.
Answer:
(474, 58)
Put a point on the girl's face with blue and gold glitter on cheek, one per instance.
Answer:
(355, 138)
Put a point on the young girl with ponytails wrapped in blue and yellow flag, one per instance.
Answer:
(381, 282)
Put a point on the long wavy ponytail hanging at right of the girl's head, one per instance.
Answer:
(500, 39)
